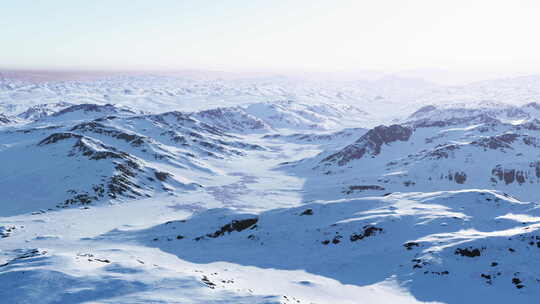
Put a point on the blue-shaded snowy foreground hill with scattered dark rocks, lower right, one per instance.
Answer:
(442, 246)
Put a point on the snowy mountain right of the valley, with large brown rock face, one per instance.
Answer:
(479, 152)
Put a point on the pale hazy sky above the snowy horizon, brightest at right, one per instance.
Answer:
(270, 34)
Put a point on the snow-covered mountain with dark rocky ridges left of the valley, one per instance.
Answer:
(86, 159)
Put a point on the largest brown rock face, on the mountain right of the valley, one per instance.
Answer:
(371, 143)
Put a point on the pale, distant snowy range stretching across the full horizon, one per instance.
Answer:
(384, 98)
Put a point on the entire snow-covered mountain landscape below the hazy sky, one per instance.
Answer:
(201, 188)
